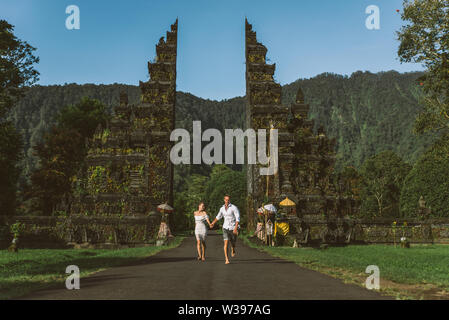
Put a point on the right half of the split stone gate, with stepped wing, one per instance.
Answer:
(305, 159)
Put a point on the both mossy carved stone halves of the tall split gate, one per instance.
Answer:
(129, 171)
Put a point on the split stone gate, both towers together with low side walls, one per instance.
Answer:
(129, 171)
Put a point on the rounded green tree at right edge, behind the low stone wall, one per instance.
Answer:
(428, 178)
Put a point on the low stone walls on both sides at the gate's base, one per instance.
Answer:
(95, 231)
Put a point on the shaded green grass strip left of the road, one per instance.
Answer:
(32, 269)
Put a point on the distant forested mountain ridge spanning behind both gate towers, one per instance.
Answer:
(366, 112)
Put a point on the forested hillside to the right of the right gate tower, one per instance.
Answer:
(367, 112)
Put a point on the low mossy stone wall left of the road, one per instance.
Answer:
(75, 230)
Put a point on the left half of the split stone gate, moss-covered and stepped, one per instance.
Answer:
(129, 171)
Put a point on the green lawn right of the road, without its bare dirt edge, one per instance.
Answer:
(420, 264)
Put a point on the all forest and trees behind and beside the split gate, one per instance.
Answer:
(391, 129)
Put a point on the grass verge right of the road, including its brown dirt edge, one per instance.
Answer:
(420, 272)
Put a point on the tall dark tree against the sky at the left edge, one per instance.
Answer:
(16, 73)
